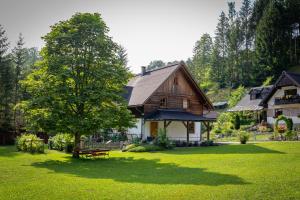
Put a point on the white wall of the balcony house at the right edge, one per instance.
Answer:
(290, 110)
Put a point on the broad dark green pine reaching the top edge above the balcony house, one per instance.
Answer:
(272, 42)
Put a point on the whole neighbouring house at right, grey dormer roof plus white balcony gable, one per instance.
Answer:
(282, 98)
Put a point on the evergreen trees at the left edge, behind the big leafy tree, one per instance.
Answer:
(15, 64)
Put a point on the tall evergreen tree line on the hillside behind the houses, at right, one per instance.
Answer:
(259, 40)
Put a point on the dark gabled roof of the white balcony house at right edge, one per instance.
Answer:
(293, 77)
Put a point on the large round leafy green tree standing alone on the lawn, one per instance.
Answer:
(76, 87)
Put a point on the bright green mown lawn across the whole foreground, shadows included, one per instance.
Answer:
(269, 170)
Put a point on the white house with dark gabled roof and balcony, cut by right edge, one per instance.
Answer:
(284, 99)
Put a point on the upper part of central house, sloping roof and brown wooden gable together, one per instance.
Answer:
(172, 84)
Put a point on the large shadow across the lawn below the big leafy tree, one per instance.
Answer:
(139, 171)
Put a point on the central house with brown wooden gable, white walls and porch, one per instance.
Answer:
(168, 98)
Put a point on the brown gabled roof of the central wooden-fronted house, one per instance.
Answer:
(141, 87)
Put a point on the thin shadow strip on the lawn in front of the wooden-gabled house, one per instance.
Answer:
(224, 149)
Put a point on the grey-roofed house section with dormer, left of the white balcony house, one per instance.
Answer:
(251, 102)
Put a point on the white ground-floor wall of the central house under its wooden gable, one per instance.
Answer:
(175, 131)
